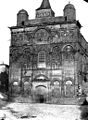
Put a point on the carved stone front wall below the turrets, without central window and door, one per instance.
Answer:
(64, 59)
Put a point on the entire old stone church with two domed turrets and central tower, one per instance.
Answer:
(48, 55)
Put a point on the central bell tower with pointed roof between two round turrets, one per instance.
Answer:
(44, 10)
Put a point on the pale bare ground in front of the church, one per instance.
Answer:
(27, 111)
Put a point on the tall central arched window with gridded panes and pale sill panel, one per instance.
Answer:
(42, 59)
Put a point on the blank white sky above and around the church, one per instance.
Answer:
(10, 8)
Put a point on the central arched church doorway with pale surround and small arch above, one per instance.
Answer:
(40, 86)
